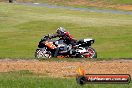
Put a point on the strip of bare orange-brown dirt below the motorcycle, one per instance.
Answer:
(67, 69)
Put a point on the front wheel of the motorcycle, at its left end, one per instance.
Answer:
(42, 53)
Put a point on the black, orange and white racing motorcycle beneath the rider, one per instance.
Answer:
(48, 48)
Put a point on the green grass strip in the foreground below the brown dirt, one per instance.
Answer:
(26, 79)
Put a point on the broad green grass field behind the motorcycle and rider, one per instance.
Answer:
(21, 28)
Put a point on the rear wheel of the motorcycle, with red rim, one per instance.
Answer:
(91, 53)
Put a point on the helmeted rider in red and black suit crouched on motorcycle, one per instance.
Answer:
(65, 35)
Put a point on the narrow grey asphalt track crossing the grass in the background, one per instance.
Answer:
(78, 9)
